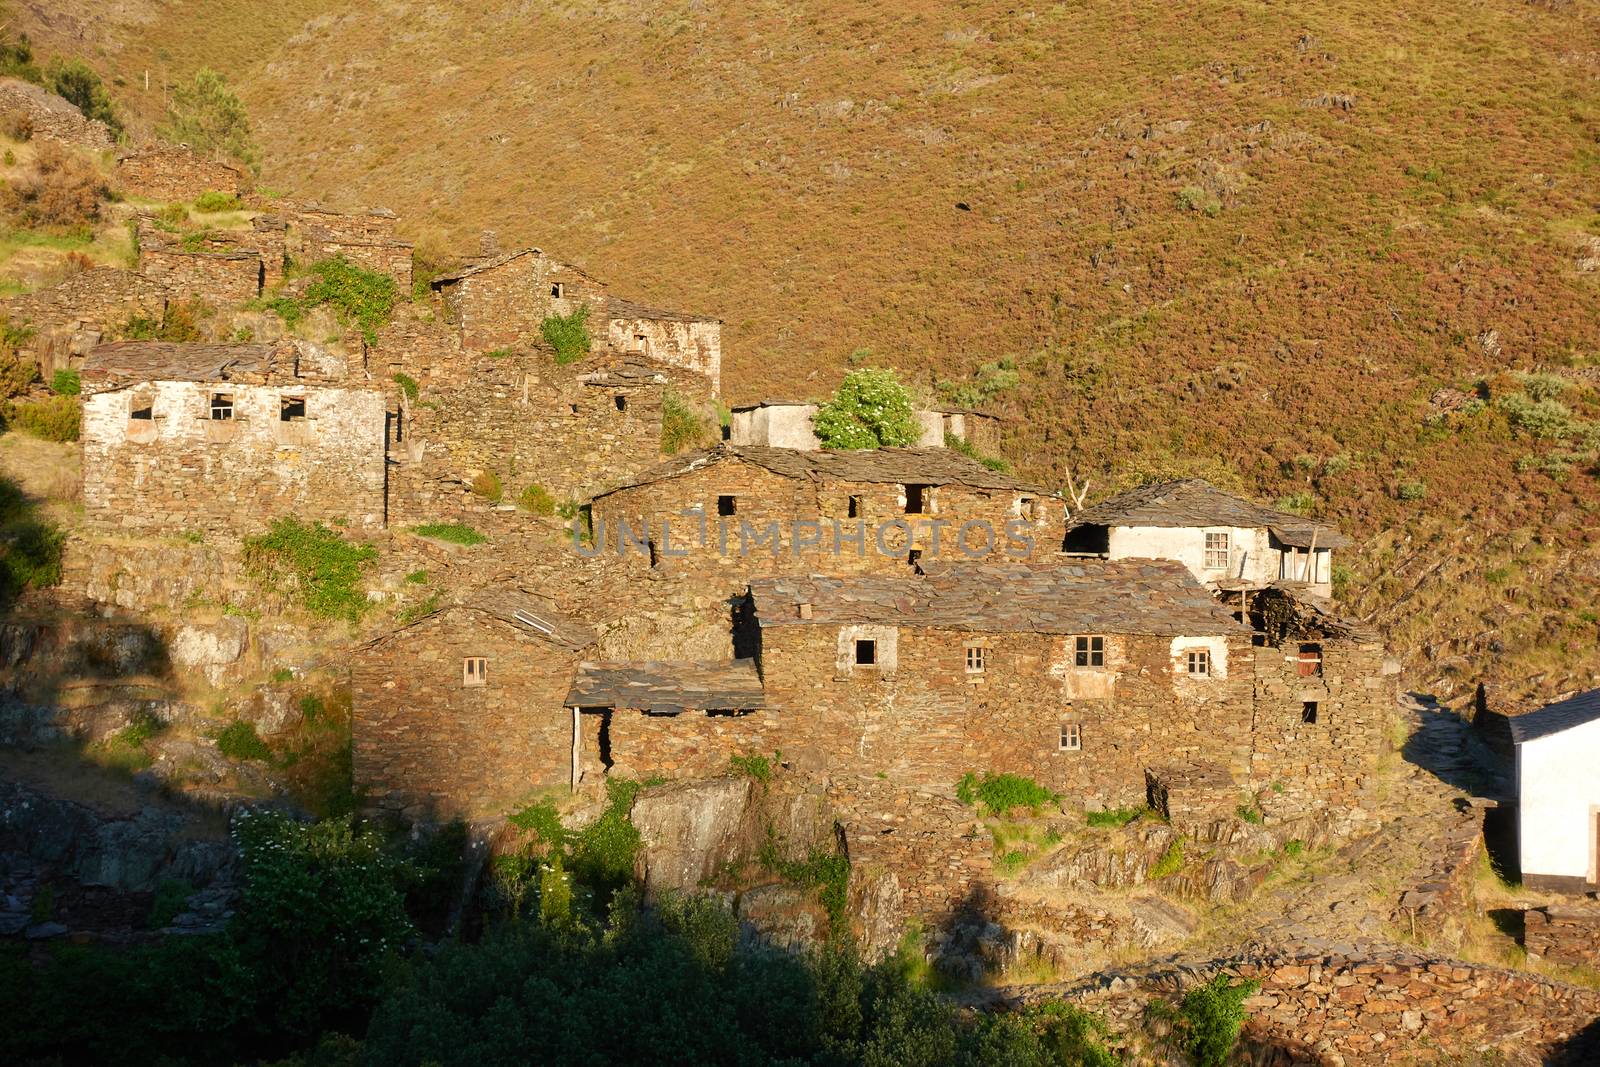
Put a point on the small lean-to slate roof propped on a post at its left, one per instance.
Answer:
(668, 687)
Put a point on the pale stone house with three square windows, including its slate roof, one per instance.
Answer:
(182, 438)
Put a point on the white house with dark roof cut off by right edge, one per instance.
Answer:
(1559, 794)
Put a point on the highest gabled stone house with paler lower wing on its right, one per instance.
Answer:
(502, 302)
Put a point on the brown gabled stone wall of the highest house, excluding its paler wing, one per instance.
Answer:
(506, 305)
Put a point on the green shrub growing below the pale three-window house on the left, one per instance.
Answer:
(318, 565)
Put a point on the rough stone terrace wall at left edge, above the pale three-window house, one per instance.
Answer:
(84, 310)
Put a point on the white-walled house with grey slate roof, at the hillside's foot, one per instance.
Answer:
(1226, 541)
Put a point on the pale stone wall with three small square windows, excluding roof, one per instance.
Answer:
(183, 471)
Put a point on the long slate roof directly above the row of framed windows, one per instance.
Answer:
(1082, 597)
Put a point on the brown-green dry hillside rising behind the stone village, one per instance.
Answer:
(1239, 238)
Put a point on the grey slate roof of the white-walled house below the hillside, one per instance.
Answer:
(1198, 503)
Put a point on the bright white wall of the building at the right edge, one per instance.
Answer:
(1559, 785)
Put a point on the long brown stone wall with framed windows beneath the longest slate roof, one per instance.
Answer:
(927, 722)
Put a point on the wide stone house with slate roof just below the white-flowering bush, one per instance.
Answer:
(732, 513)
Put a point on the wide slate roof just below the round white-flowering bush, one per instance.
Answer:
(903, 466)
